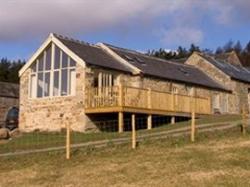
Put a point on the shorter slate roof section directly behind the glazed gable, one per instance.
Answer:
(92, 55)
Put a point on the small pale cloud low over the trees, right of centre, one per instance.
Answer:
(181, 36)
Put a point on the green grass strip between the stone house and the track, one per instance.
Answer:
(38, 140)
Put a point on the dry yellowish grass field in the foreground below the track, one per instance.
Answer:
(221, 158)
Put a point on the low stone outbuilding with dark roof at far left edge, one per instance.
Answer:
(9, 97)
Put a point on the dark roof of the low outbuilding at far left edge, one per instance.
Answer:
(9, 90)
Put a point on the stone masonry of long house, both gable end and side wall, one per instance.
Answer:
(52, 113)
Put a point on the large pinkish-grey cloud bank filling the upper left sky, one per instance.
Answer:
(19, 18)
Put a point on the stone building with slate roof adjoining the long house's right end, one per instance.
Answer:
(227, 70)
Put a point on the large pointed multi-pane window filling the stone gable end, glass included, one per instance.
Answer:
(52, 74)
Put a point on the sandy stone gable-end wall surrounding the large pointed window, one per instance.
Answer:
(50, 114)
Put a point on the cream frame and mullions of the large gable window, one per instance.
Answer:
(33, 86)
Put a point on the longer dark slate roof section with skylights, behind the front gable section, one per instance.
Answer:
(166, 69)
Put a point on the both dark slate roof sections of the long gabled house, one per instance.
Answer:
(95, 55)
